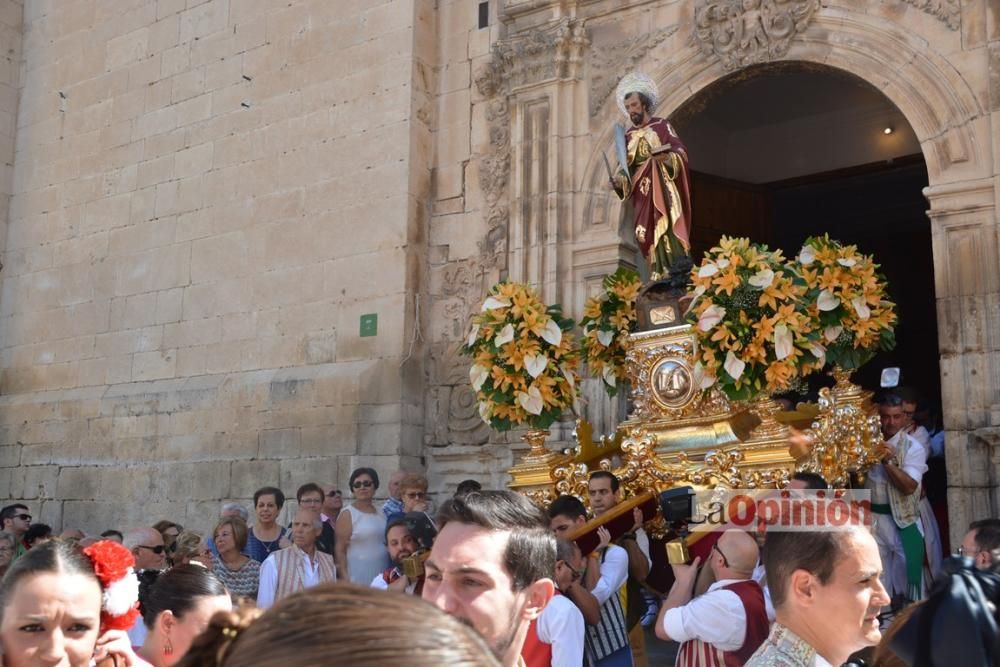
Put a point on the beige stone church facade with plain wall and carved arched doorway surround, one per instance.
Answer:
(207, 195)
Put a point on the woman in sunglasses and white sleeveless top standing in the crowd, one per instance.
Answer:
(360, 548)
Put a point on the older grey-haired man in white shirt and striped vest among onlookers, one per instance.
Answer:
(299, 566)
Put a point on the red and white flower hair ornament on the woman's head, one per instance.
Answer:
(114, 566)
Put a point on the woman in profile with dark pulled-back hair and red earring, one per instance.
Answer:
(176, 608)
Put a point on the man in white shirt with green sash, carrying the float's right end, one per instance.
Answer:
(895, 487)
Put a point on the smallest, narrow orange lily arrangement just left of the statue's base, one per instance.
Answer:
(608, 318)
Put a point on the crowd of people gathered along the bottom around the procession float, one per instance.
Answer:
(490, 578)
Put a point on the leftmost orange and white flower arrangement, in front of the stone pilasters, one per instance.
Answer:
(524, 359)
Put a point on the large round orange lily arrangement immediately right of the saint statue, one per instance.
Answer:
(753, 331)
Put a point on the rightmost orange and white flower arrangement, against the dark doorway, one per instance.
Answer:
(848, 301)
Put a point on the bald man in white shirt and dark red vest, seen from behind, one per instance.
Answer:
(728, 622)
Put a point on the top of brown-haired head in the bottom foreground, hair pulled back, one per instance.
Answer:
(340, 624)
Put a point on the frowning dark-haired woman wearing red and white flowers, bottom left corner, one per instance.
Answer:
(60, 604)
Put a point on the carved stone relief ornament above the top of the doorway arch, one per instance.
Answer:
(746, 32)
